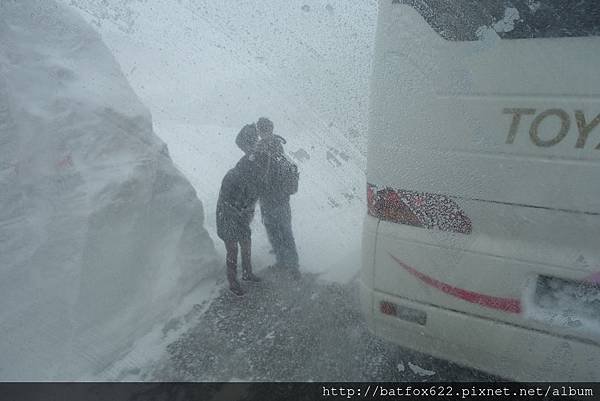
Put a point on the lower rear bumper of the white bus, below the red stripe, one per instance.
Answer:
(505, 350)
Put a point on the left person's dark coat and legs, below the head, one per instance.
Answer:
(239, 193)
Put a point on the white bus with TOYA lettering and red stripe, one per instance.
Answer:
(481, 244)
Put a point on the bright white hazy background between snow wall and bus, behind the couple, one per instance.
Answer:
(206, 68)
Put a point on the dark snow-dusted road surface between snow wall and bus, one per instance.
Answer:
(285, 330)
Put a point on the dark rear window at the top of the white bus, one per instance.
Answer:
(466, 20)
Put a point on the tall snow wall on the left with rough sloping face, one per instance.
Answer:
(100, 235)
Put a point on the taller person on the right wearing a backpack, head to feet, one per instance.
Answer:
(275, 199)
